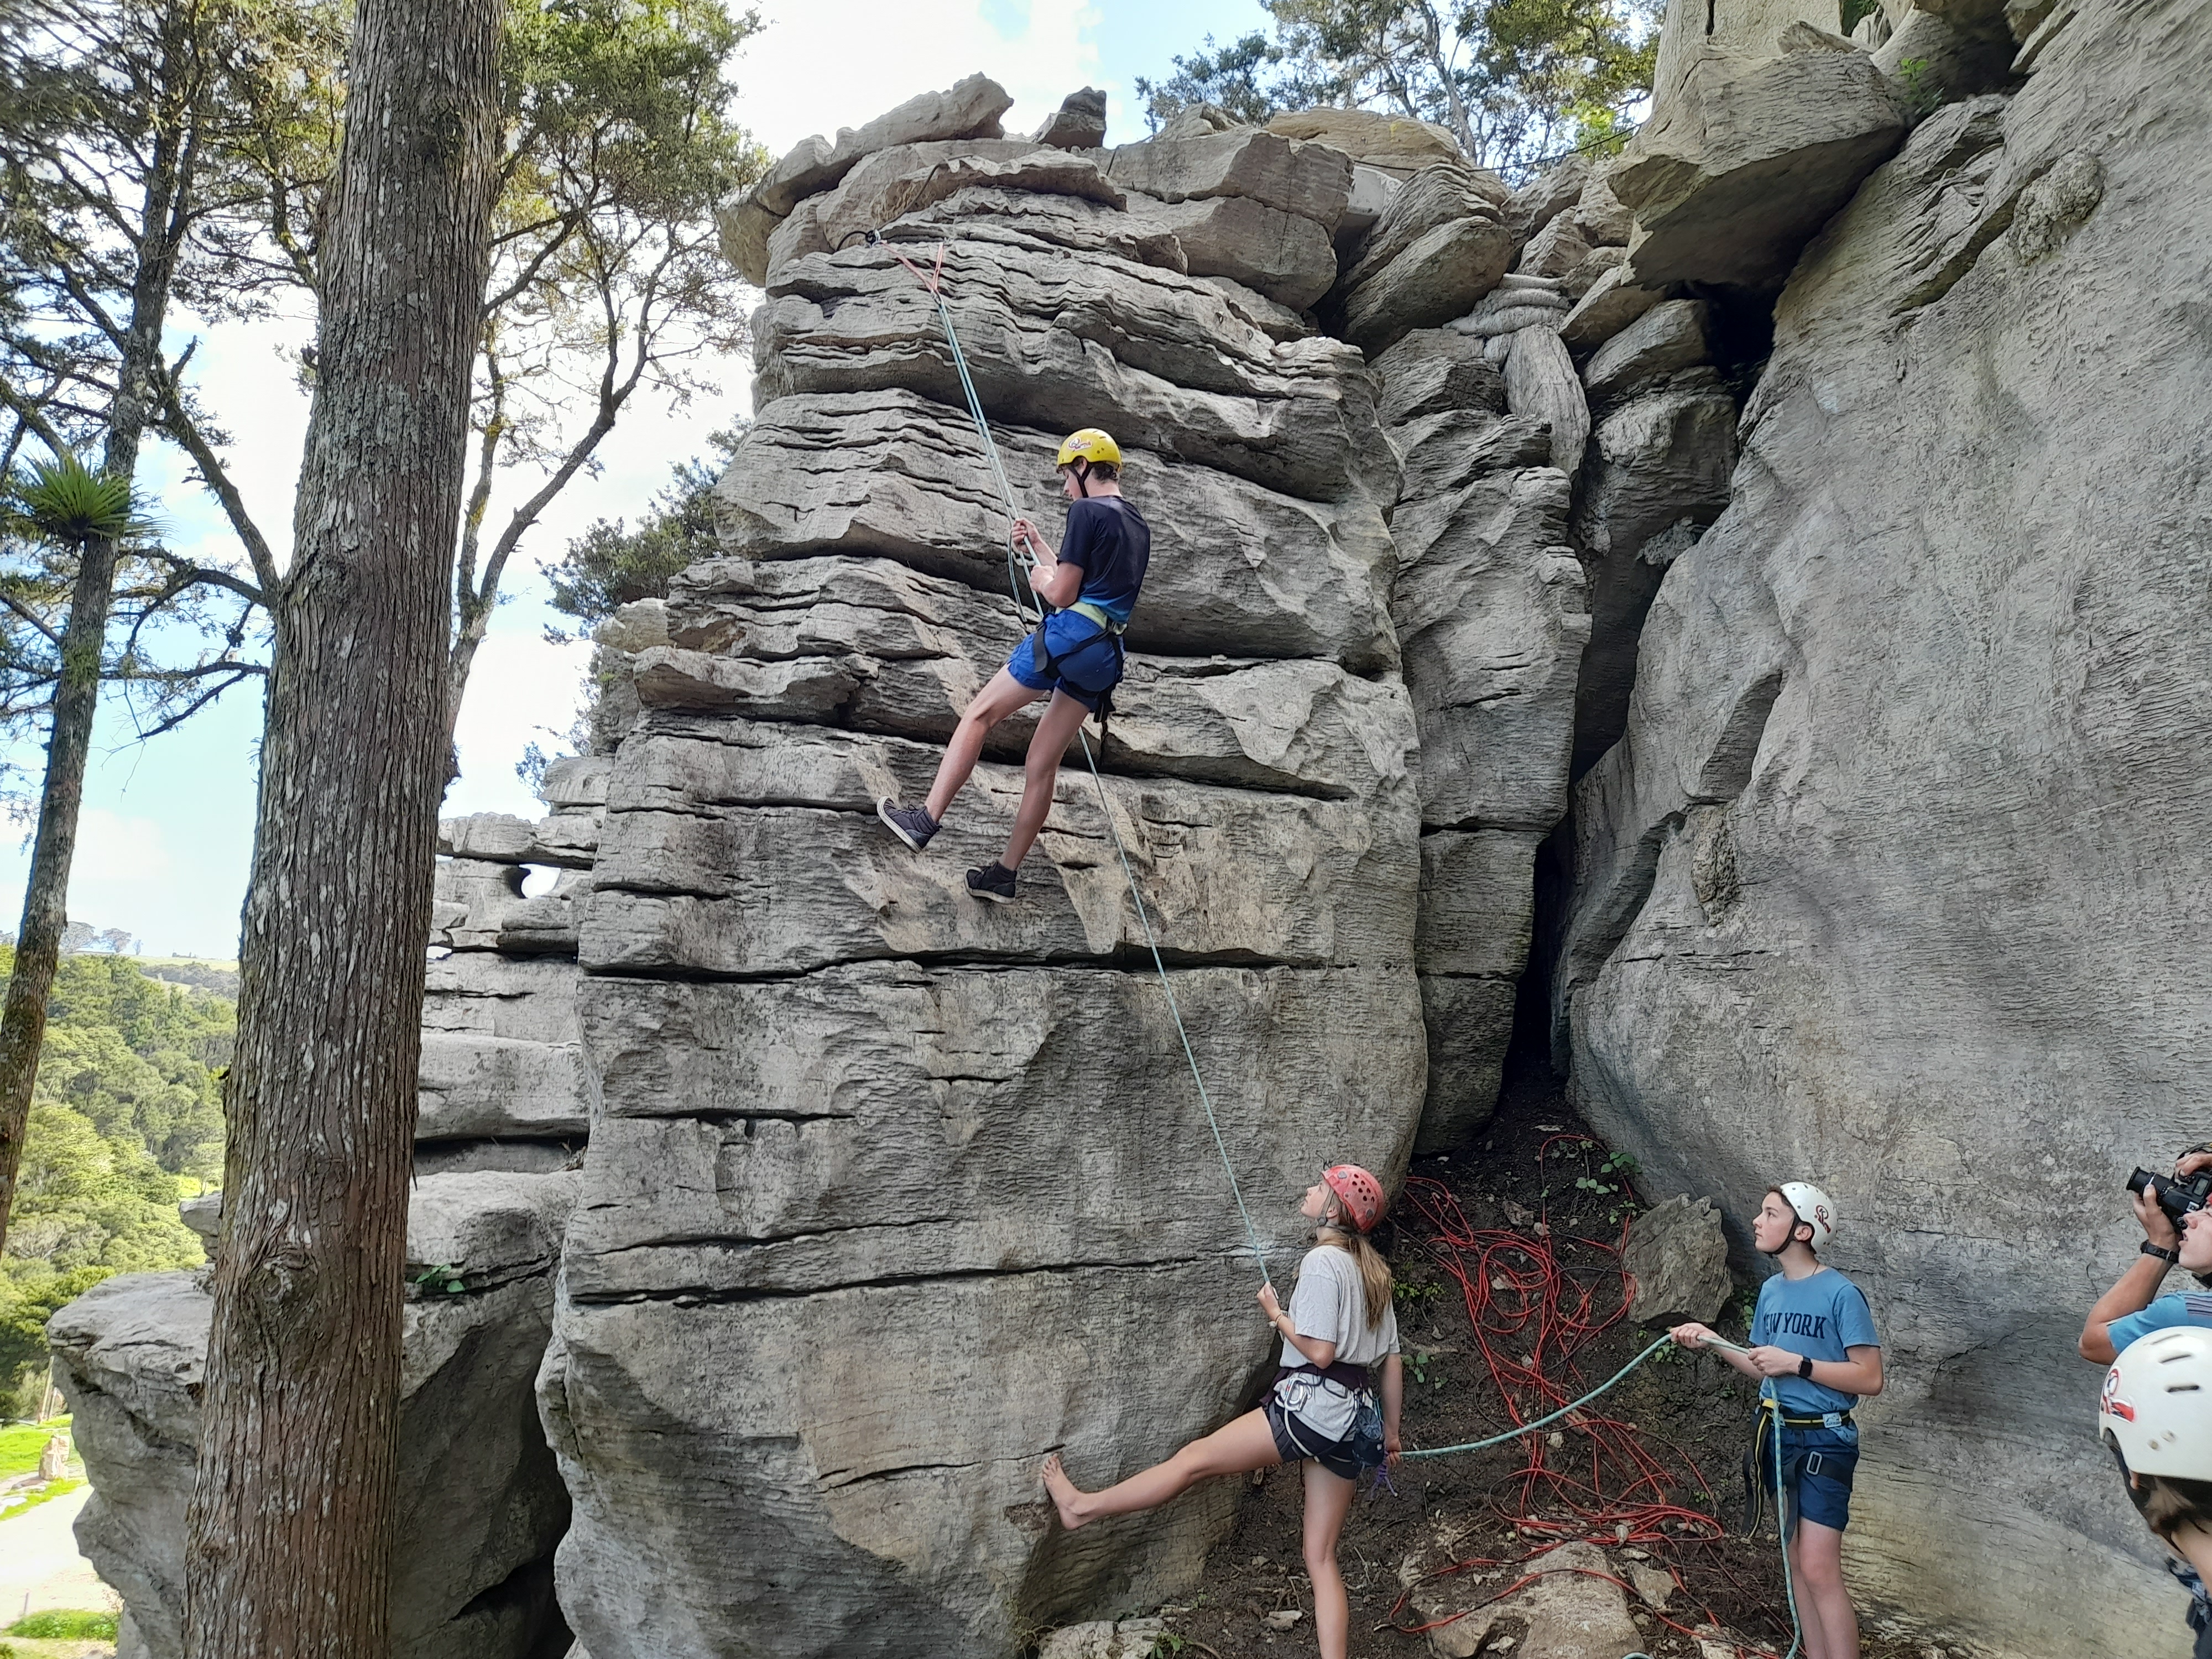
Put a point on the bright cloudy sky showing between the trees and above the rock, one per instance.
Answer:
(167, 831)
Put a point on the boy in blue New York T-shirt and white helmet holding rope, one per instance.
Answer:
(1815, 1357)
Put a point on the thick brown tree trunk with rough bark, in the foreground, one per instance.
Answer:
(293, 1516)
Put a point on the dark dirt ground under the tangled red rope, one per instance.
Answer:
(1689, 1412)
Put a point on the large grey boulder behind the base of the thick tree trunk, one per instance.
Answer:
(481, 1503)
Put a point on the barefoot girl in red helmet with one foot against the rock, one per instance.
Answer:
(1324, 1408)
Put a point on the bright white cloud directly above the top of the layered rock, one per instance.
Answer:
(839, 63)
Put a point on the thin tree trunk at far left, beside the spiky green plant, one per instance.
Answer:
(76, 698)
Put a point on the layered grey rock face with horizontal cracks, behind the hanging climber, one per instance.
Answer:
(893, 1193)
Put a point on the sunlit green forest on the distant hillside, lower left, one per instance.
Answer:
(127, 1120)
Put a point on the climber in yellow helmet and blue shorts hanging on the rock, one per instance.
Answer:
(1076, 654)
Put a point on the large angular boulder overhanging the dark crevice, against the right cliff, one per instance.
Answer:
(1749, 160)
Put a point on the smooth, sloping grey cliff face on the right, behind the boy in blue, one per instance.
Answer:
(1899, 870)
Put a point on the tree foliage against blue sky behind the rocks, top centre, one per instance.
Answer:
(1516, 83)
